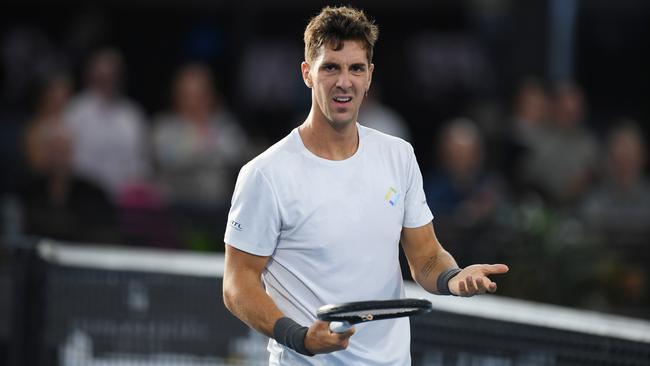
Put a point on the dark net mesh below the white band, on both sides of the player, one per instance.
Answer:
(93, 316)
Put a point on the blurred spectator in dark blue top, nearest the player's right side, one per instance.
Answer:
(462, 187)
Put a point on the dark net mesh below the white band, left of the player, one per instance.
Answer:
(94, 316)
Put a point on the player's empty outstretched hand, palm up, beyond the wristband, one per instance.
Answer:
(474, 280)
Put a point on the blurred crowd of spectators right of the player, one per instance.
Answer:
(569, 209)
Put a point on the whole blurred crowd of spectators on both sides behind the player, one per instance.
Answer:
(566, 207)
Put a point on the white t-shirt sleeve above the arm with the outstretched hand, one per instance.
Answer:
(416, 209)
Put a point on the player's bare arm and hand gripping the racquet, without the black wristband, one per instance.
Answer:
(244, 296)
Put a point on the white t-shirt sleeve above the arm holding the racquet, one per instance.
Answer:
(254, 220)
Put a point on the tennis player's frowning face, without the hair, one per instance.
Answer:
(339, 80)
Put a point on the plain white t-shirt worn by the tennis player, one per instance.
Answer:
(332, 229)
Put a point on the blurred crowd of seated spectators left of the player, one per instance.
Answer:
(95, 168)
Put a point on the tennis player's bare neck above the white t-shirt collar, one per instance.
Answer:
(327, 141)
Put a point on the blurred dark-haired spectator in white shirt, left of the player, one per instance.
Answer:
(108, 130)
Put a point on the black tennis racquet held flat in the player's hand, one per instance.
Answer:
(343, 316)
